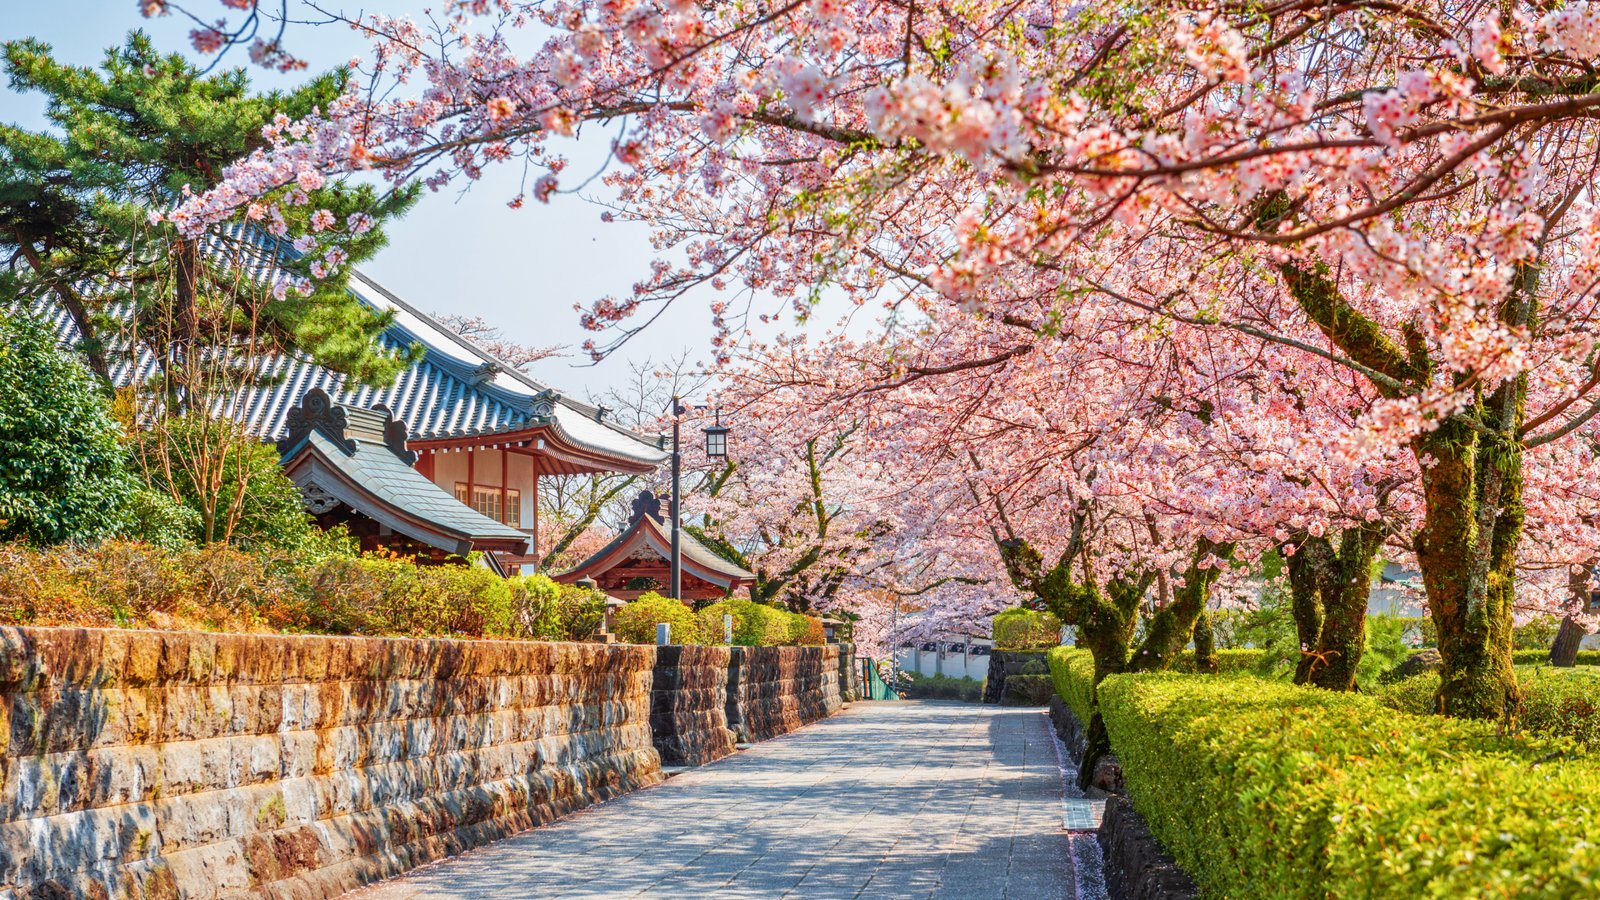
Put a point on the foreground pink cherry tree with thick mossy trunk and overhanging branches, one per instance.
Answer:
(1394, 195)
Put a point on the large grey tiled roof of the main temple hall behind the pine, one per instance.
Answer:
(458, 392)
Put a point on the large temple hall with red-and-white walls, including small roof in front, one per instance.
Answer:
(444, 462)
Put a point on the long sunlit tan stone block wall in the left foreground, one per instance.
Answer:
(167, 765)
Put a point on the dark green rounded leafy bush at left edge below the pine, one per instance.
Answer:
(63, 470)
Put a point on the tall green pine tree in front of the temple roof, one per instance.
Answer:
(132, 139)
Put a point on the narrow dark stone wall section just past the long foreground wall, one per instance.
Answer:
(689, 705)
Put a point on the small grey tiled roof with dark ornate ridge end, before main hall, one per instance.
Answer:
(359, 459)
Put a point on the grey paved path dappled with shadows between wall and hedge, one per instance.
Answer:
(884, 800)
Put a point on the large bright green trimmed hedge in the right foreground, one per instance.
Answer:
(1262, 789)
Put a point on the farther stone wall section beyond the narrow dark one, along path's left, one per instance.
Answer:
(783, 689)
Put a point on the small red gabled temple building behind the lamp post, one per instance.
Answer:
(639, 561)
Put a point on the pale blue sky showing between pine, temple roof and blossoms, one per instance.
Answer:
(522, 270)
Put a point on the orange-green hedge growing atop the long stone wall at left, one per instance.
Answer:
(140, 585)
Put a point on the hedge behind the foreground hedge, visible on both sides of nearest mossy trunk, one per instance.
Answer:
(1556, 702)
